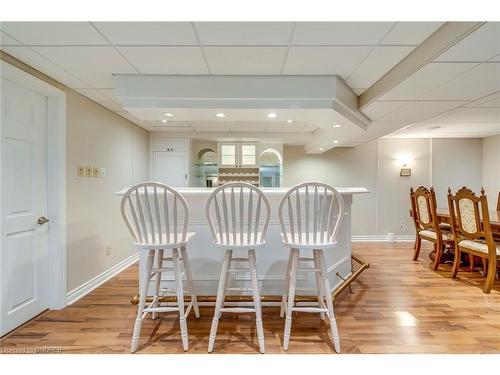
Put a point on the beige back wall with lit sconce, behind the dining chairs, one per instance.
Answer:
(375, 165)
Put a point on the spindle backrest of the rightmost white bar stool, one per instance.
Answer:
(311, 213)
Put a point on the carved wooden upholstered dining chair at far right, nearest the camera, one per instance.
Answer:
(471, 234)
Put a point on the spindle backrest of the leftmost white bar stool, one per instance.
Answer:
(155, 214)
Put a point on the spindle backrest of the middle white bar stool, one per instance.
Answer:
(238, 214)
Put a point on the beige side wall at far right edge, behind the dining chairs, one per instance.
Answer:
(491, 168)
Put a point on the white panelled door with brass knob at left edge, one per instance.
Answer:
(24, 247)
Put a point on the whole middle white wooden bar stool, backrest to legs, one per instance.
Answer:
(238, 216)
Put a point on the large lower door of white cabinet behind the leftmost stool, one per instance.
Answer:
(170, 168)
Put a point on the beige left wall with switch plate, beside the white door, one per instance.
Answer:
(96, 137)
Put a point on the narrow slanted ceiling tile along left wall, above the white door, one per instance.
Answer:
(35, 60)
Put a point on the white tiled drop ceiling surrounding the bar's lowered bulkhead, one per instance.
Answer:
(85, 55)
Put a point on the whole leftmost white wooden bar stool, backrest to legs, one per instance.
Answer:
(157, 217)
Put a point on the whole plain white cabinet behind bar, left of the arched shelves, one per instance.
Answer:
(169, 162)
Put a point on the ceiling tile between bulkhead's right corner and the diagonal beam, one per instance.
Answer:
(378, 62)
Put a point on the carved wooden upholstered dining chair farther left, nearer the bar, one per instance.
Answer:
(423, 204)
